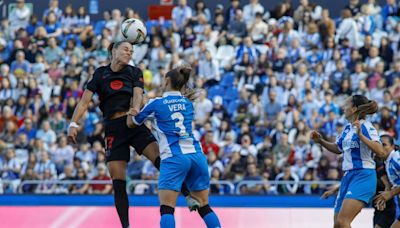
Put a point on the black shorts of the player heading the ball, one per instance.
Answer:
(118, 138)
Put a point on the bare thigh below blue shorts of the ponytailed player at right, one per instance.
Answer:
(350, 209)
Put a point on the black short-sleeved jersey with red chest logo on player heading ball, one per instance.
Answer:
(115, 89)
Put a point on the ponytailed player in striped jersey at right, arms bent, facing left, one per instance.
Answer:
(358, 142)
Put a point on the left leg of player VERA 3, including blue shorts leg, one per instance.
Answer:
(173, 171)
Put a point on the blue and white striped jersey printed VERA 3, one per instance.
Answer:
(173, 116)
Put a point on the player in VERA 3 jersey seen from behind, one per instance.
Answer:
(182, 159)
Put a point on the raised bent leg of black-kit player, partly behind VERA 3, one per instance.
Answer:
(147, 145)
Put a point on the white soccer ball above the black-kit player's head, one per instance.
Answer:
(133, 30)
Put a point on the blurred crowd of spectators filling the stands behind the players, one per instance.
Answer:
(265, 80)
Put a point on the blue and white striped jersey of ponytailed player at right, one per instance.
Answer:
(357, 155)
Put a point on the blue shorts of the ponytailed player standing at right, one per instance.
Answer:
(357, 184)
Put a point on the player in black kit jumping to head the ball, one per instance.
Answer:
(120, 89)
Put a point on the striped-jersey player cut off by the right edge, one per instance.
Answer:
(392, 166)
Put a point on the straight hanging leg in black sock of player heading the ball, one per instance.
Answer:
(117, 171)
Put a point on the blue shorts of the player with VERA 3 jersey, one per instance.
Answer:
(189, 168)
